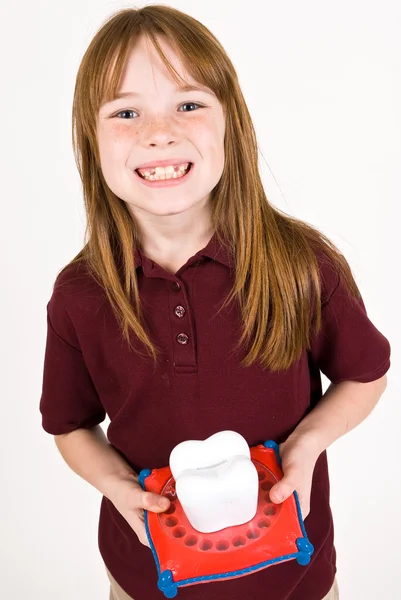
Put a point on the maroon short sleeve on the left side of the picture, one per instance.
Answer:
(69, 399)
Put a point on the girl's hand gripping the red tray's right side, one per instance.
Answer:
(298, 457)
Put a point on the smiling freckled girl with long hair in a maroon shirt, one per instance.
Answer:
(195, 305)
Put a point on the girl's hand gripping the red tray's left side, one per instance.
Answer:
(130, 500)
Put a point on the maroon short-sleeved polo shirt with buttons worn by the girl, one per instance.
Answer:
(197, 389)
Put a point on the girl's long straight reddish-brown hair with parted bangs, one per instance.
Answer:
(276, 268)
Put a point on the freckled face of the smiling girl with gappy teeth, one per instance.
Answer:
(160, 122)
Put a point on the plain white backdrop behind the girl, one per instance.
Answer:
(323, 84)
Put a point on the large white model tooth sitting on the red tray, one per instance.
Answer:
(216, 481)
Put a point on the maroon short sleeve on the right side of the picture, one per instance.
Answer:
(348, 345)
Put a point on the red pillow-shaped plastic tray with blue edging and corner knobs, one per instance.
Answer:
(184, 556)
